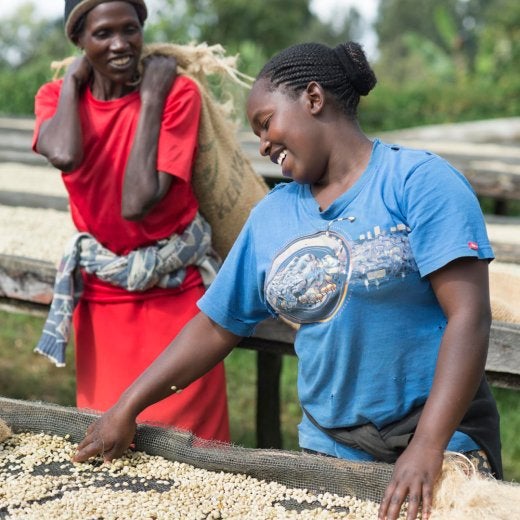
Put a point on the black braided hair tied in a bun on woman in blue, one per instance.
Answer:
(343, 71)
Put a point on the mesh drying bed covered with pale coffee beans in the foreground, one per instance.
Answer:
(171, 474)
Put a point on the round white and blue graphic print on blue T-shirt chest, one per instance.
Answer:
(309, 279)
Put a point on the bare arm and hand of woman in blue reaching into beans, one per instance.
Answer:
(197, 349)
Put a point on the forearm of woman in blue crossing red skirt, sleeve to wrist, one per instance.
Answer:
(195, 351)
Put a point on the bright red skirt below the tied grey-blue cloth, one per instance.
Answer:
(116, 342)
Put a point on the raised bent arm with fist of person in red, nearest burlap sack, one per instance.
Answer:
(144, 186)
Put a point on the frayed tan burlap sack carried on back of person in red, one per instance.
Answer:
(224, 181)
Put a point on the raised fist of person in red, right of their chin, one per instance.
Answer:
(159, 73)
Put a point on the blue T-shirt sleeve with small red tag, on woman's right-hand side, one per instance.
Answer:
(444, 216)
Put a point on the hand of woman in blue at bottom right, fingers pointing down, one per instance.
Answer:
(414, 477)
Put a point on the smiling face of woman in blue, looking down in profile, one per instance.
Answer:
(289, 130)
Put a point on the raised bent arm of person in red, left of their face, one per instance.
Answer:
(60, 138)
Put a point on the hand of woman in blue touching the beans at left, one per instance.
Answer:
(109, 436)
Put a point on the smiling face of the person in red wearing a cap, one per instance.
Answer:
(112, 40)
